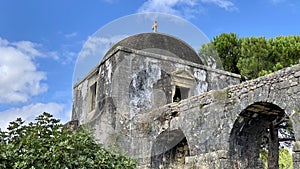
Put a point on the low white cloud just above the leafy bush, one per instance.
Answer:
(30, 112)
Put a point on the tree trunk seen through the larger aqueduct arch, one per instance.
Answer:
(273, 155)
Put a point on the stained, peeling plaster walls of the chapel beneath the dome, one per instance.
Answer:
(132, 82)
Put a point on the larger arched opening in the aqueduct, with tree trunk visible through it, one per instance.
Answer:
(261, 127)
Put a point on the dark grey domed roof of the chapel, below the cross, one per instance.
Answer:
(160, 44)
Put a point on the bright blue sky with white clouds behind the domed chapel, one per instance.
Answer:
(40, 41)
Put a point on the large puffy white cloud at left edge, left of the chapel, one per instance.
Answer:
(19, 76)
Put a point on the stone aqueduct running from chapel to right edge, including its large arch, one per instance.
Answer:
(226, 128)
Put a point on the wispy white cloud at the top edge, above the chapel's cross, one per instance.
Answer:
(184, 8)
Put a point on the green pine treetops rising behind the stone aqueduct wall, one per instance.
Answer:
(254, 56)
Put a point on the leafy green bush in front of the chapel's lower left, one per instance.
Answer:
(48, 144)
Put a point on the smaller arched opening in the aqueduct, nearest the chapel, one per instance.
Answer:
(169, 150)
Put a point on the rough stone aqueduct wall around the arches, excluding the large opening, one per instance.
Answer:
(208, 119)
